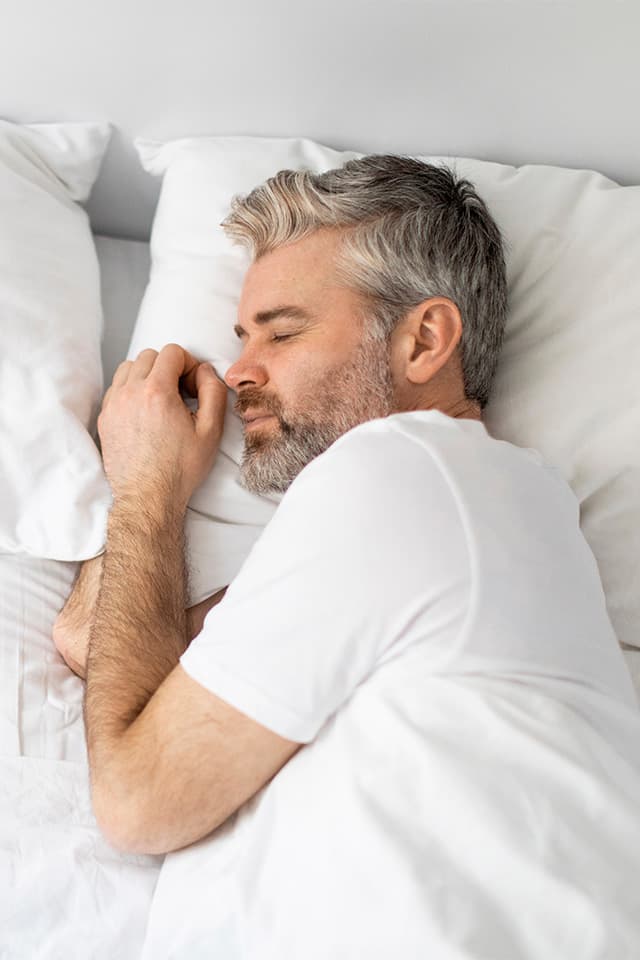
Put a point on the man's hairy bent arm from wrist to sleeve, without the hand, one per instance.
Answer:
(149, 726)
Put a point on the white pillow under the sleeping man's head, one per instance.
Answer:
(566, 382)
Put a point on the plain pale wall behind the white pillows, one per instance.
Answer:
(508, 80)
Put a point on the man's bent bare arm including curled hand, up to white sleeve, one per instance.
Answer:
(168, 760)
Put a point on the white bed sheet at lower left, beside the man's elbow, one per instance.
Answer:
(64, 891)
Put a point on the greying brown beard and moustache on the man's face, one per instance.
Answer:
(361, 389)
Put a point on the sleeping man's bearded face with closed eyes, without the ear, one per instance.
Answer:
(316, 383)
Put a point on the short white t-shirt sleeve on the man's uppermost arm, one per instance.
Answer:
(355, 545)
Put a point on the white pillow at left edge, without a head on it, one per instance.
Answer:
(53, 493)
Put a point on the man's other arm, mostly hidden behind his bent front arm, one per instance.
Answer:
(72, 626)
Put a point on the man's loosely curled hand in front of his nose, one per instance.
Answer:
(152, 445)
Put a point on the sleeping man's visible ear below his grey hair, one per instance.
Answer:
(426, 338)
